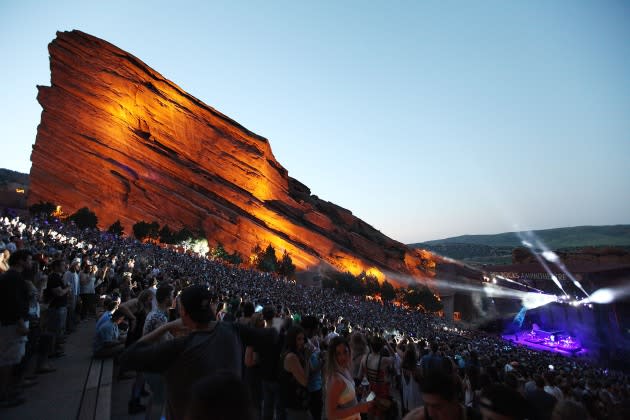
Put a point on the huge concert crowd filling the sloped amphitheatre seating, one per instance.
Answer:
(211, 340)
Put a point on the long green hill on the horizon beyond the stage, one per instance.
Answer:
(497, 249)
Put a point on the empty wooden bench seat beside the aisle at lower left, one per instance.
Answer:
(97, 393)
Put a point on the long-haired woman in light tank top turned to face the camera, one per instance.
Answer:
(341, 401)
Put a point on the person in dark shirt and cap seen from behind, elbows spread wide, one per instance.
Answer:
(209, 347)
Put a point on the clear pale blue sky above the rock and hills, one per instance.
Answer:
(427, 119)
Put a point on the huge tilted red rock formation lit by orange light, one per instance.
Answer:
(119, 138)
